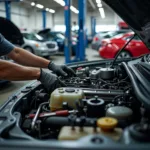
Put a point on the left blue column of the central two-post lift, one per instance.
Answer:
(68, 29)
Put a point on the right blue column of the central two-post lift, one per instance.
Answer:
(82, 33)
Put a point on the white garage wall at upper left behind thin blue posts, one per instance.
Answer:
(26, 18)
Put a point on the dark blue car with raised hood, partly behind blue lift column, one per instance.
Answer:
(59, 38)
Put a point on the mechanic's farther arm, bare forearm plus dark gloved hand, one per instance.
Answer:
(23, 57)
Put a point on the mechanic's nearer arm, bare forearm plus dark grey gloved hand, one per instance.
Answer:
(14, 72)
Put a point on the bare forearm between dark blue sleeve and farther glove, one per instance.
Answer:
(26, 58)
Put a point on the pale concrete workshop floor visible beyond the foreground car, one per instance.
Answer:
(12, 87)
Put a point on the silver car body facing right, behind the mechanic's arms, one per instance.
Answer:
(37, 45)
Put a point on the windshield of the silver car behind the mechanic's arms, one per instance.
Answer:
(32, 36)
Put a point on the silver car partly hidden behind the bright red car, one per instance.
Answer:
(96, 43)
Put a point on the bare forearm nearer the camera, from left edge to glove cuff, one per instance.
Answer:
(11, 71)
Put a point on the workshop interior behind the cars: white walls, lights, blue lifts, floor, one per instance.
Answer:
(94, 16)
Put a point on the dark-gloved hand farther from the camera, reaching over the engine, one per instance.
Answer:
(61, 70)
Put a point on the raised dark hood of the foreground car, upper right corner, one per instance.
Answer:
(136, 14)
